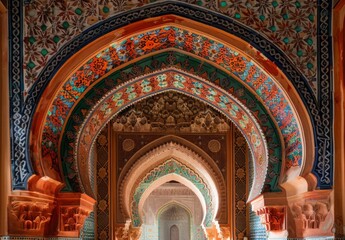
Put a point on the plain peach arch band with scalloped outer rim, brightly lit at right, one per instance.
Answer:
(159, 155)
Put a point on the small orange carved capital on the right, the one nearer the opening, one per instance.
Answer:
(273, 218)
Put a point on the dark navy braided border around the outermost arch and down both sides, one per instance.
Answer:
(21, 166)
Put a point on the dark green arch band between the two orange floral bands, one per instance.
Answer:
(186, 64)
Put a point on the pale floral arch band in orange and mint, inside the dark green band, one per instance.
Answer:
(171, 80)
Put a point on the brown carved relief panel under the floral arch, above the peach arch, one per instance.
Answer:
(171, 112)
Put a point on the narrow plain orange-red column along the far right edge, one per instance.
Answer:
(339, 119)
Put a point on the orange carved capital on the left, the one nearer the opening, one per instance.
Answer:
(73, 209)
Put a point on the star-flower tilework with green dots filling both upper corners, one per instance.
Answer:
(291, 25)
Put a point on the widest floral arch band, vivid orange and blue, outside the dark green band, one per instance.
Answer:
(151, 41)
